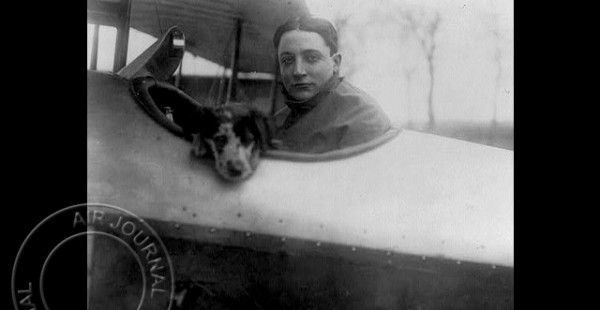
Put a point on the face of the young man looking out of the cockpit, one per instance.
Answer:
(305, 63)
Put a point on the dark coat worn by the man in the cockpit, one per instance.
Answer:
(338, 117)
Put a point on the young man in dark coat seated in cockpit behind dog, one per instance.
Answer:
(323, 111)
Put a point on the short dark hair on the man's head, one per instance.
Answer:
(309, 23)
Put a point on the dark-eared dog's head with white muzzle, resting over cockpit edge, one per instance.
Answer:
(234, 134)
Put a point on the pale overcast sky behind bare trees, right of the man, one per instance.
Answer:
(468, 77)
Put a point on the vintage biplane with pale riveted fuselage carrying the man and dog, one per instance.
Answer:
(411, 221)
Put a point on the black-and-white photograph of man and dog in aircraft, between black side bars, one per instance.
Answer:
(299, 154)
